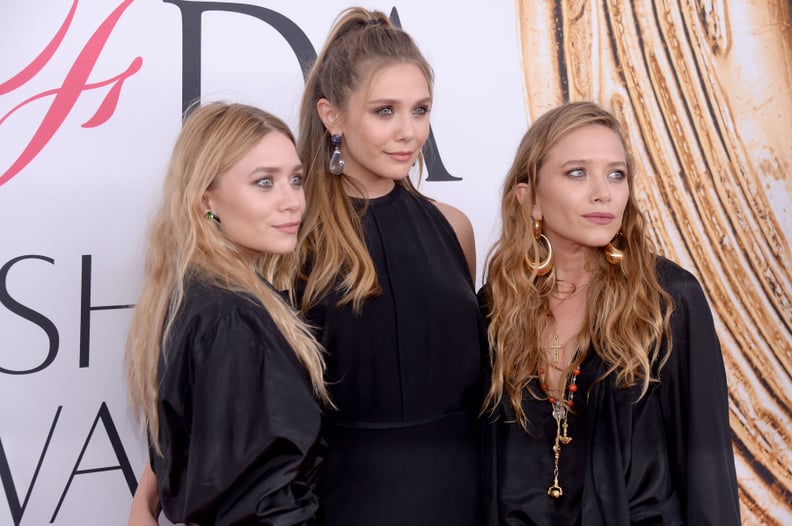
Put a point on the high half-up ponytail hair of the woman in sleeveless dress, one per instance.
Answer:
(360, 43)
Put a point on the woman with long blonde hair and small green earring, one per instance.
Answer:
(224, 374)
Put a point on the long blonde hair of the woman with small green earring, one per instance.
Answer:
(183, 244)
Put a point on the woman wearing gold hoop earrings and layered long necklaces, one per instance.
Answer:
(608, 383)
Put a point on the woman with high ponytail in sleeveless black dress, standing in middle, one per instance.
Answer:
(387, 276)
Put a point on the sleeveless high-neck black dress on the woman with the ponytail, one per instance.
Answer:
(404, 445)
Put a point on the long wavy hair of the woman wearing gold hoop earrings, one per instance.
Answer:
(627, 317)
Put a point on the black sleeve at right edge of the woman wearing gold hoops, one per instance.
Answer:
(694, 402)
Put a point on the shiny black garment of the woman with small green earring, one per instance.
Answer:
(239, 424)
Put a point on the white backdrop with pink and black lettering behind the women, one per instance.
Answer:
(80, 177)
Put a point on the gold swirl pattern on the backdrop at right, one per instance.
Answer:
(704, 89)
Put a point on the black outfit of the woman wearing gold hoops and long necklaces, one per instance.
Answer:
(666, 459)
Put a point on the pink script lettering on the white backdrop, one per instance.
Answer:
(76, 82)
